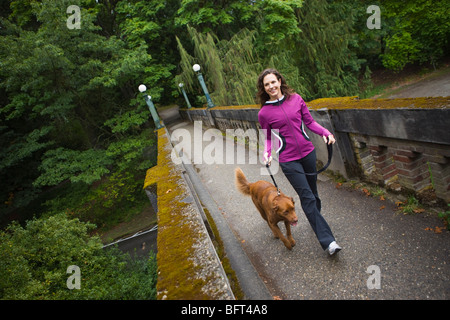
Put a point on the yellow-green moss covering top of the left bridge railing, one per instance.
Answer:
(176, 236)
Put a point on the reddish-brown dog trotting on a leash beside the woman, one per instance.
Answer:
(272, 207)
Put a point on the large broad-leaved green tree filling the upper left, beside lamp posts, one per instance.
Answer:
(66, 95)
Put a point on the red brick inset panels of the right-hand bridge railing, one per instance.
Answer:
(404, 165)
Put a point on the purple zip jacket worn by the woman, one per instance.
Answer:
(286, 118)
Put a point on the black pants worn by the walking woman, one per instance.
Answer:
(306, 188)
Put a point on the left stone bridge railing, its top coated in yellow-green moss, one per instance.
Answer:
(188, 265)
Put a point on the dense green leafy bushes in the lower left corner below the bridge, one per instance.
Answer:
(34, 262)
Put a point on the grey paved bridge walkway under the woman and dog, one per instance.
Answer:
(380, 245)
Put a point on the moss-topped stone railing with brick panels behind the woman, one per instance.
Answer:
(400, 144)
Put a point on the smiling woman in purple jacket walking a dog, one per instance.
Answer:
(285, 111)
